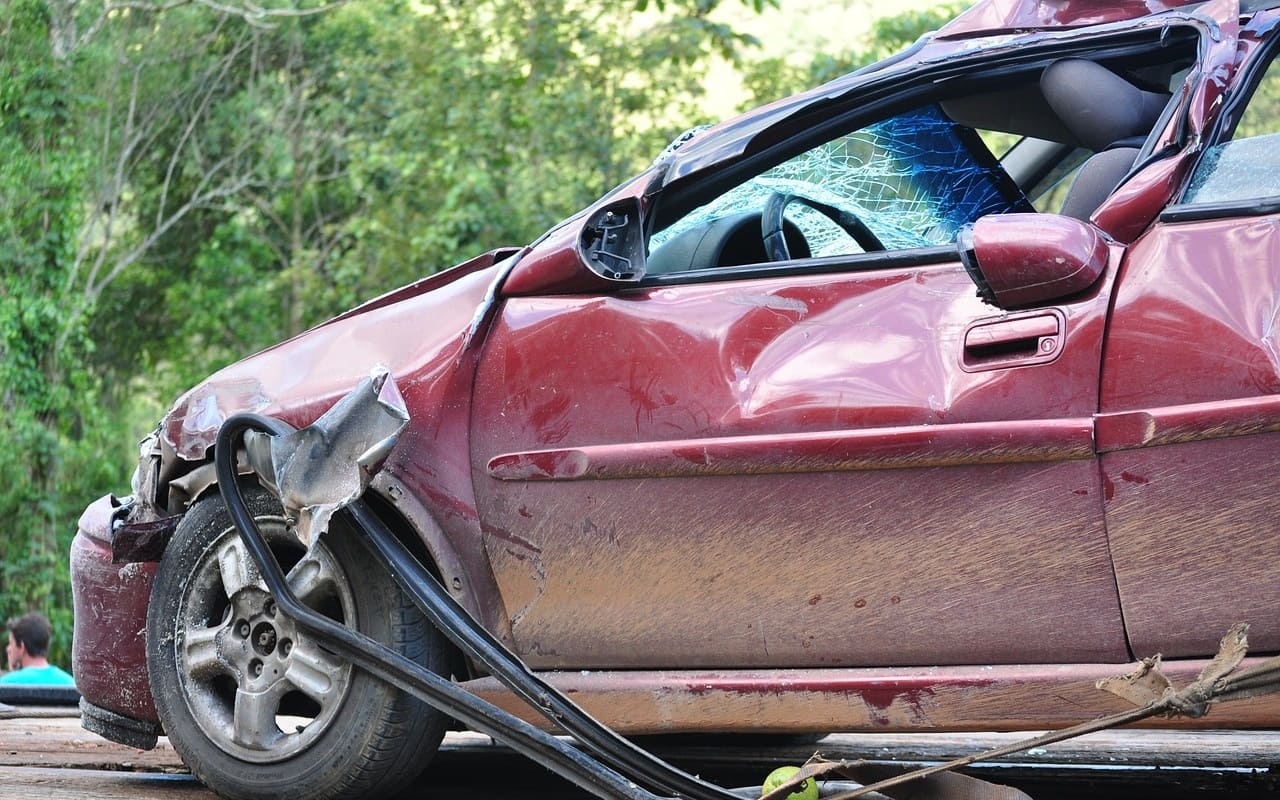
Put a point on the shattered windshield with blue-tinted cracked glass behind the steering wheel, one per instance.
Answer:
(915, 180)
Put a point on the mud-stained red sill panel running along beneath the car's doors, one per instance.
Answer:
(1011, 698)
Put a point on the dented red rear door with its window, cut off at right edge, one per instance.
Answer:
(1191, 391)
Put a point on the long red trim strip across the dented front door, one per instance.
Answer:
(881, 449)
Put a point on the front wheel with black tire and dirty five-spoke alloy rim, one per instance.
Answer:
(254, 706)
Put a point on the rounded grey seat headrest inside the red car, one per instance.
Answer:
(1099, 107)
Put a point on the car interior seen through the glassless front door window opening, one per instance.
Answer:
(1059, 139)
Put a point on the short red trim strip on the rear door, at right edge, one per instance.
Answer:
(1127, 431)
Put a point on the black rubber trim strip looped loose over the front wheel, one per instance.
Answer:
(564, 758)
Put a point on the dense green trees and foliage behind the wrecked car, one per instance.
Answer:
(185, 186)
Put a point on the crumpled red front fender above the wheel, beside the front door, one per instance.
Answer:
(424, 340)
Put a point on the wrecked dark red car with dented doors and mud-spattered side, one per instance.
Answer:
(922, 400)
